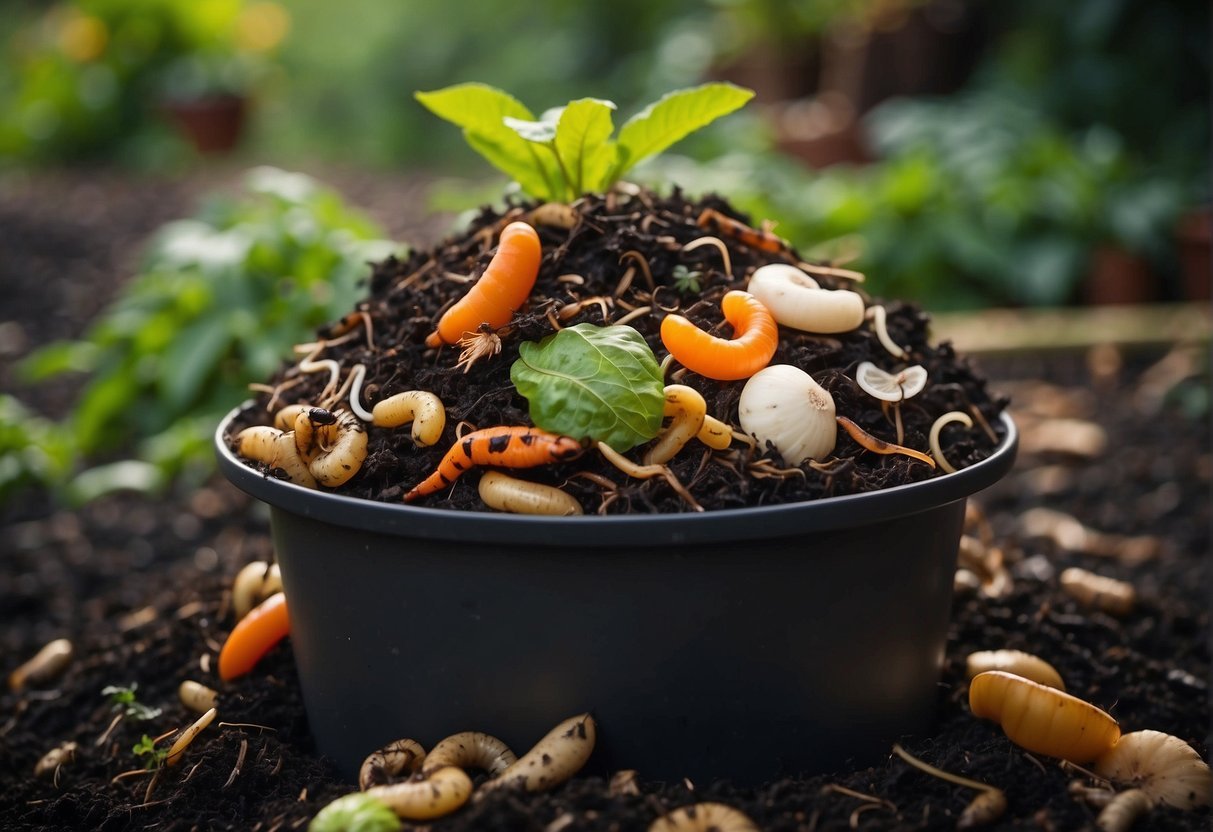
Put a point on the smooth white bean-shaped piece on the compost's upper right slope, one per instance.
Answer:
(795, 300)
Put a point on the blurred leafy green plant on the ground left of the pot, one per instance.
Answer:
(220, 300)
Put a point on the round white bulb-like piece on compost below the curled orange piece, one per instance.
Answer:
(783, 406)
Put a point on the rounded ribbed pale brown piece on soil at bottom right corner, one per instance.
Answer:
(1166, 768)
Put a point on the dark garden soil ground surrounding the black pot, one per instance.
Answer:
(141, 586)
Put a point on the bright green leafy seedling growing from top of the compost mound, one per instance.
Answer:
(570, 151)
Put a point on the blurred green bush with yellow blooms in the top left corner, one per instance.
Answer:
(87, 78)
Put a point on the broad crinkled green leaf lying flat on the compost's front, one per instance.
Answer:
(594, 383)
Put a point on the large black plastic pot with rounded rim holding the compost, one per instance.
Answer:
(743, 643)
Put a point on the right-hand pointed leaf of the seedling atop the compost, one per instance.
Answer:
(674, 118)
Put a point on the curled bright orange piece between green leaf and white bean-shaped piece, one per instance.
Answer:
(755, 339)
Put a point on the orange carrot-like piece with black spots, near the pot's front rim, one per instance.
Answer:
(506, 447)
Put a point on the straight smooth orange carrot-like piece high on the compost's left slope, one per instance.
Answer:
(505, 286)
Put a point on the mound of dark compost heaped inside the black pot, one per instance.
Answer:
(635, 258)
